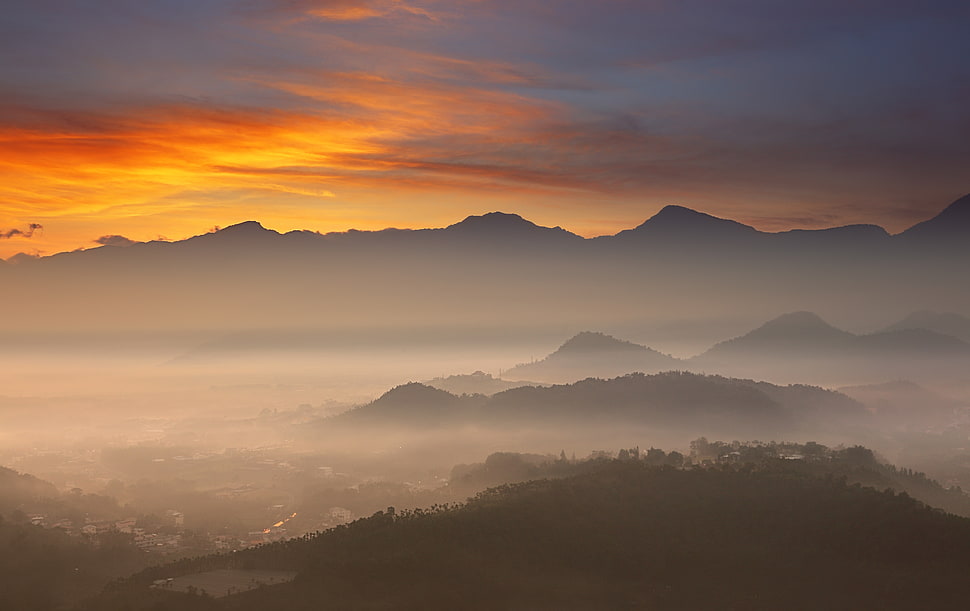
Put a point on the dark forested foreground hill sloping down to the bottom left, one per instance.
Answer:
(625, 535)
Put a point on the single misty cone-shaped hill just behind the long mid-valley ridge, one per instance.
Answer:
(589, 354)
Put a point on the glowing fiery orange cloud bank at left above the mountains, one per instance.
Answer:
(346, 133)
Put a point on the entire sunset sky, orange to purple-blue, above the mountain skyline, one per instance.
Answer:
(123, 120)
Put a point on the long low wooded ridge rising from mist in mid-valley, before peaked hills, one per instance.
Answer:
(682, 402)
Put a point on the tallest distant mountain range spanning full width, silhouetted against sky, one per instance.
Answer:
(497, 270)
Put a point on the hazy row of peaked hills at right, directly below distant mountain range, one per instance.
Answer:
(799, 346)
